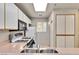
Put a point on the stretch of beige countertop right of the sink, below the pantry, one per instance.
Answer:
(68, 51)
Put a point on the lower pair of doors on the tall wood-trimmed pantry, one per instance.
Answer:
(65, 41)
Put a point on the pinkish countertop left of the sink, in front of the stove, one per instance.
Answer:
(7, 47)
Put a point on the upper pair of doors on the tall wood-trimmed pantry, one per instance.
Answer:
(65, 24)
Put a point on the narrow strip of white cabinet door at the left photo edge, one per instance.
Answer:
(1, 15)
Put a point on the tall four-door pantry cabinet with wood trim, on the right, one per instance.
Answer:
(65, 31)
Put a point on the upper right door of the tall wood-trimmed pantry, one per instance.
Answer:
(69, 24)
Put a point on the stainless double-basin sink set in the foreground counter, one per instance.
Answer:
(32, 50)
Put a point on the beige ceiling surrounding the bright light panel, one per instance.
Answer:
(28, 9)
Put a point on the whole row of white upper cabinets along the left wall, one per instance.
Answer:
(9, 15)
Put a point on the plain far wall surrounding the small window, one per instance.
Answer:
(43, 36)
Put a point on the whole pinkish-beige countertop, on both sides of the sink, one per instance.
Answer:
(15, 48)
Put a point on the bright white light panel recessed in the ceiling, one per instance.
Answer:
(40, 5)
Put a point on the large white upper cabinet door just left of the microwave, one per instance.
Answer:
(11, 16)
